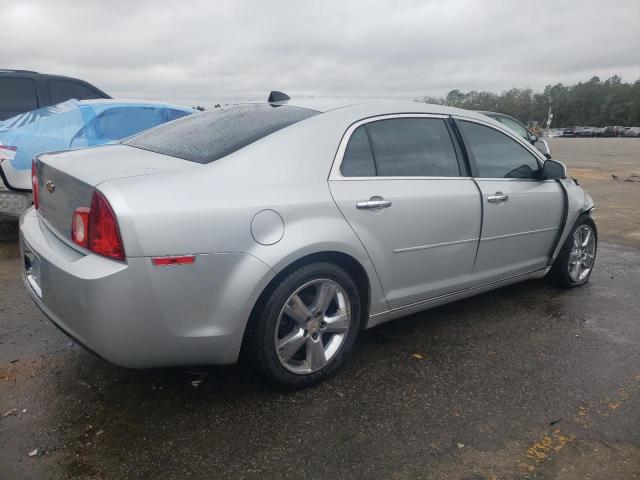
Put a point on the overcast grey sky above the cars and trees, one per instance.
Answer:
(202, 52)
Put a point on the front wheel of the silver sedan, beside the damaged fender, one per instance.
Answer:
(575, 261)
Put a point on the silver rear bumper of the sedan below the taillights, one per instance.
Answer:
(137, 315)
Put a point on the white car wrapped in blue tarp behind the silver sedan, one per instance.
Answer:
(69, 125)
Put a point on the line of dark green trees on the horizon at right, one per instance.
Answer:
(594, 103)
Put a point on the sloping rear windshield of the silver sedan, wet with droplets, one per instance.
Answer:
(206, 137)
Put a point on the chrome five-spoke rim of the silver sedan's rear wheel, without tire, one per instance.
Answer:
(312, 326)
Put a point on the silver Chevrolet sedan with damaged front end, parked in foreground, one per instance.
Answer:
(283, 228)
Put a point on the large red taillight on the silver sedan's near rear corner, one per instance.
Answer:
(96, 228)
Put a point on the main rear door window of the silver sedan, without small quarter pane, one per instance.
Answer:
(413, 147)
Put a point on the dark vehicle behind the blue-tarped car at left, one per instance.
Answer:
(25, 90)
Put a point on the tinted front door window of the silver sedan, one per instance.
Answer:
(497, 155)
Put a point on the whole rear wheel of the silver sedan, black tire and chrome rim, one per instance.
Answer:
(307, 326)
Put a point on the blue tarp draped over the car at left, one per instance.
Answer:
(79, 124)
